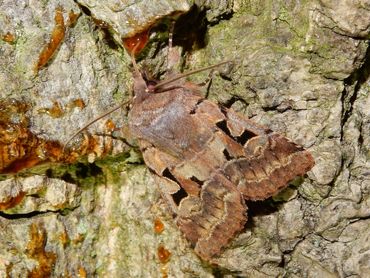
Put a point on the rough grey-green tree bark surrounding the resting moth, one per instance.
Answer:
(301, 69)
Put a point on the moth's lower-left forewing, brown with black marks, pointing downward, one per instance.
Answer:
(210, 214)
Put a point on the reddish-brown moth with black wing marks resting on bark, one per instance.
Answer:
(208, 159)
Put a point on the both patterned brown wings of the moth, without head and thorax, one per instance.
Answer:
(207, 185)
